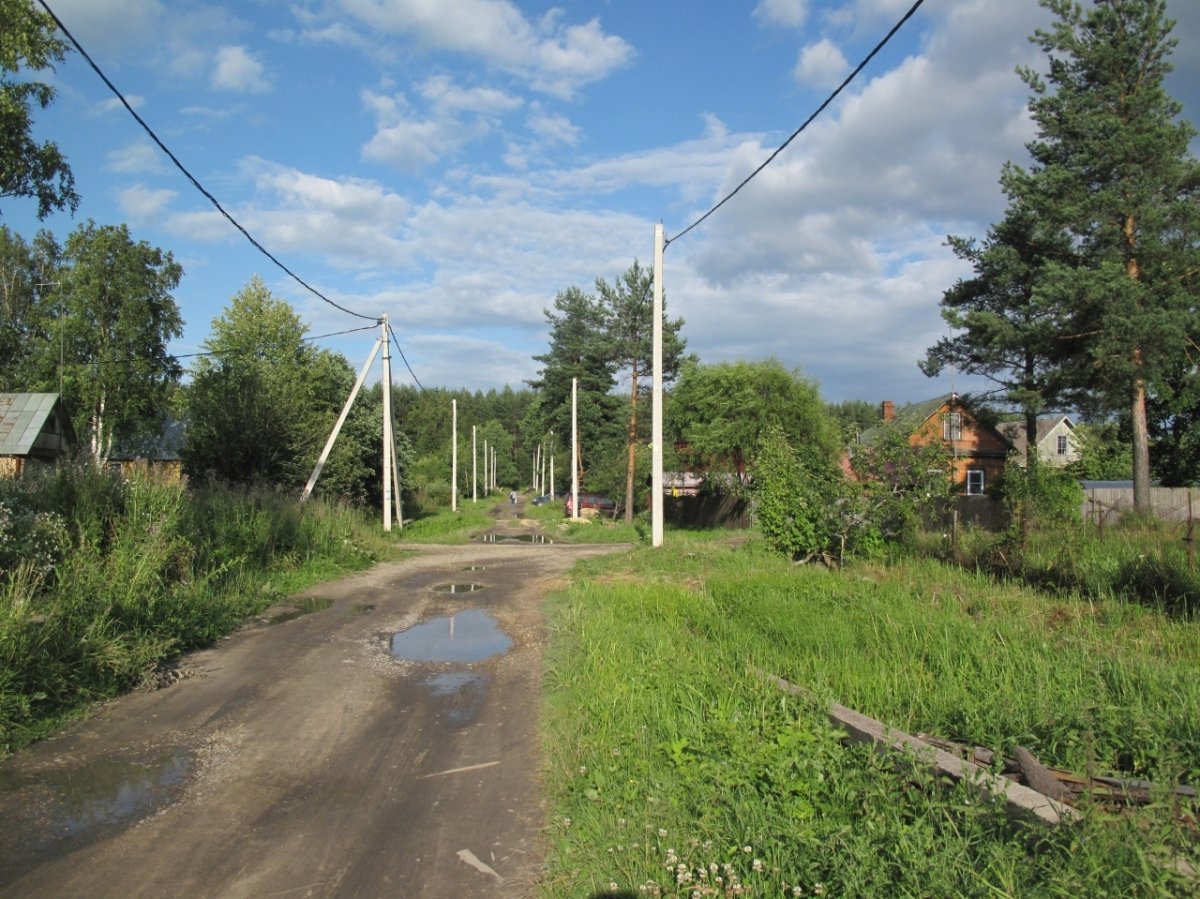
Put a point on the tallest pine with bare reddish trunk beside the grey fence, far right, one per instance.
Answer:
(1112, 171)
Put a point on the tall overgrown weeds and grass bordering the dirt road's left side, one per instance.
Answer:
(103, 578)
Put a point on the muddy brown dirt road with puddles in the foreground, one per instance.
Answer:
(315, 753)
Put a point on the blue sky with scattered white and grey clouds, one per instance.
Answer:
(458, 164)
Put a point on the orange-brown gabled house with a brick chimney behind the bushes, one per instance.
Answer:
(977, 451)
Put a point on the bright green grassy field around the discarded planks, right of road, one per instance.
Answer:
(676, 770)
